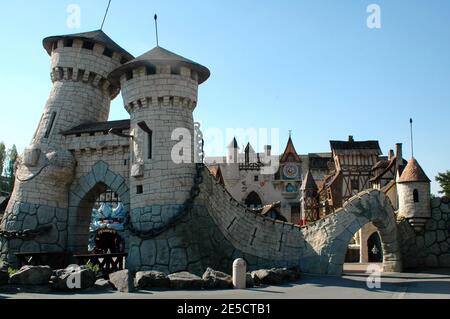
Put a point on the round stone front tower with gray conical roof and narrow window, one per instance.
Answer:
(159, 90)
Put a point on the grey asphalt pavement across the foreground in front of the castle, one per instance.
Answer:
(352, 285)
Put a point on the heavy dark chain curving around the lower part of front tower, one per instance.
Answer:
(185, 209)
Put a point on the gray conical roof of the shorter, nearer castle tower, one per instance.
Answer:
(160, 56)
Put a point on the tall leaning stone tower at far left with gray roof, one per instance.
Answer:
(81, 93)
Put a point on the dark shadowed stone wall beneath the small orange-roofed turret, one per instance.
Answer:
(431, 247)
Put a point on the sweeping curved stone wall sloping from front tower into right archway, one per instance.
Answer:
(219, 229)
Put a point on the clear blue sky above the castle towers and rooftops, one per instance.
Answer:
(312, 67)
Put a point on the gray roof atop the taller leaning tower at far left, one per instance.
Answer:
(97, 36)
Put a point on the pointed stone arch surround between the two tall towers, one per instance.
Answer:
(80, 207)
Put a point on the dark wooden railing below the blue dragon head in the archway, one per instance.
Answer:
(107, 263)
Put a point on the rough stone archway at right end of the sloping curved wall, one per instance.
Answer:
(329, 237)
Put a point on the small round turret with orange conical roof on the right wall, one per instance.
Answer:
(413, 189)
